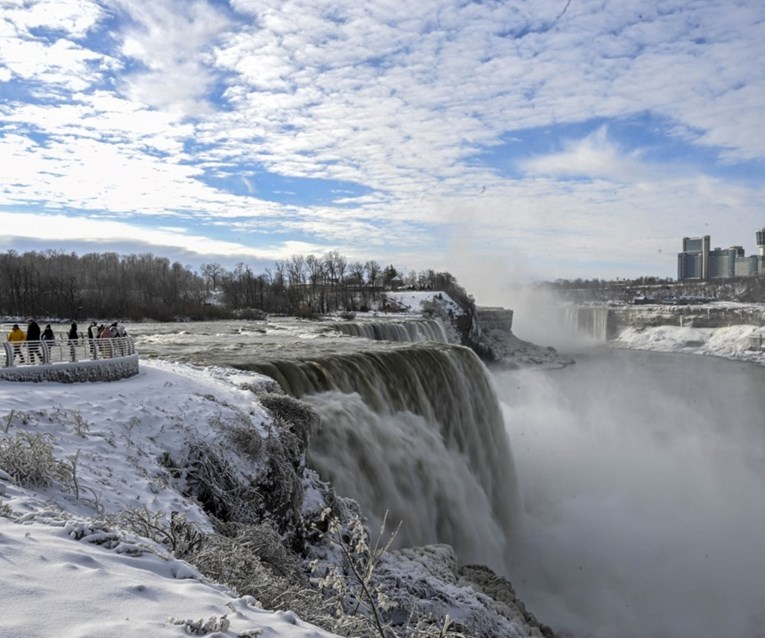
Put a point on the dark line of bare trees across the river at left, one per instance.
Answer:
(134, 287)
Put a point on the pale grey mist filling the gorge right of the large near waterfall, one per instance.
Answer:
(642, 483)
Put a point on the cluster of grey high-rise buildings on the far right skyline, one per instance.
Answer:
(698, 263)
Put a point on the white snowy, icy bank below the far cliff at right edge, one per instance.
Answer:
(732, 342)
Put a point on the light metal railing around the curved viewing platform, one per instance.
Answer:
(47, 351)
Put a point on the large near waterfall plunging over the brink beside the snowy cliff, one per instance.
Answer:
(416, 431)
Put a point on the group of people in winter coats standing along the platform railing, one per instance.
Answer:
(33, 336)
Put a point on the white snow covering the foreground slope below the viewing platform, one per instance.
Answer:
(64, 575)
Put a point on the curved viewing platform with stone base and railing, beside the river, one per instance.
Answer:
(70, 361)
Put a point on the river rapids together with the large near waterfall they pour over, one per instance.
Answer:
(411, 428)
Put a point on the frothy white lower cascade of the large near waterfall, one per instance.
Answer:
(399, 463)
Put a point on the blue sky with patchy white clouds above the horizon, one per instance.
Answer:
(539, 139)
